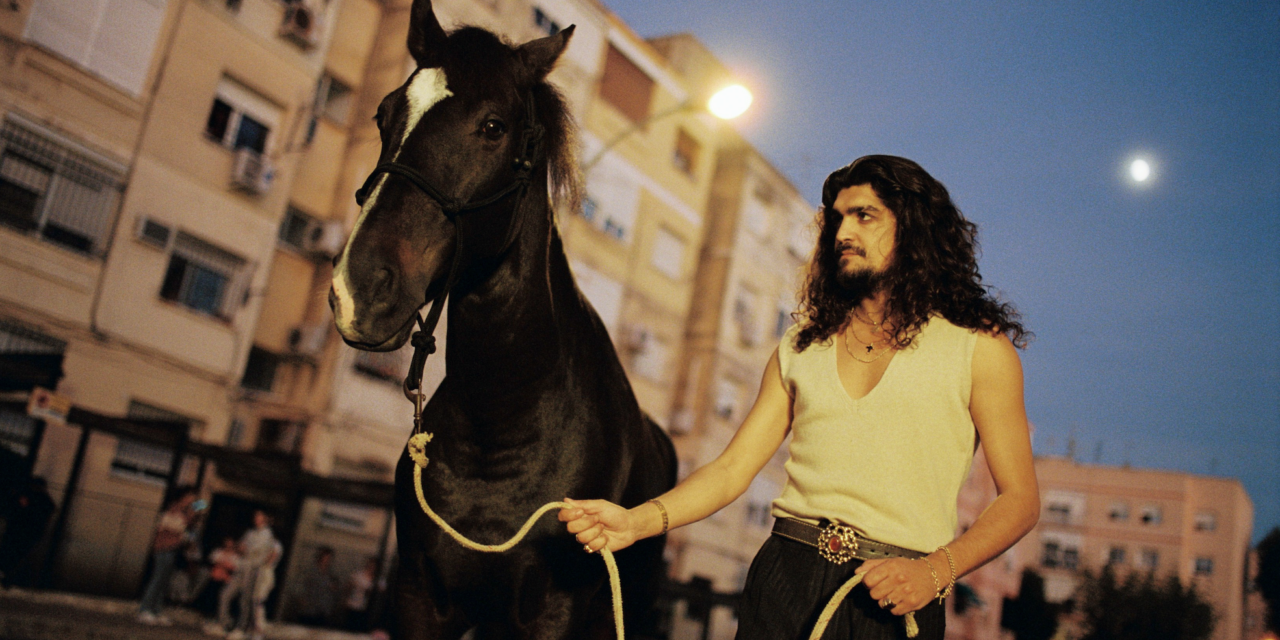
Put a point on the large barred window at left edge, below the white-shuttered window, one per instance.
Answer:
(53, 190)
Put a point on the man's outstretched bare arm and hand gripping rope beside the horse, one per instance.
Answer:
(705, 492)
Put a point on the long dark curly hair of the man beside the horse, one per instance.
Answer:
(934, 268)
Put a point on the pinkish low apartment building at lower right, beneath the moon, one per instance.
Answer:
(1192, 527)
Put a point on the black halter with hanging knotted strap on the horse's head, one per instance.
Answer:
(424, 339)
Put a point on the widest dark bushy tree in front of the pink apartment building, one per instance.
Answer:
(1144, 609)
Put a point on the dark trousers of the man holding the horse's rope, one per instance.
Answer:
(789, 586)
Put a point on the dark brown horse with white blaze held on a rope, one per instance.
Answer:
(536, 405)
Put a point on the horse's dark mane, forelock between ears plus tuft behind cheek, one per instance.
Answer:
(477, 49)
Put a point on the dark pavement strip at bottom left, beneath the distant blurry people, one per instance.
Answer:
(26, 615)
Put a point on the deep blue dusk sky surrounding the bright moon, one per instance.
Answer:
(1156, 307)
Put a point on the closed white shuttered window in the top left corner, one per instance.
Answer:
(112, 39)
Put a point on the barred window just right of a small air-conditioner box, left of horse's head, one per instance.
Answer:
(204, 278)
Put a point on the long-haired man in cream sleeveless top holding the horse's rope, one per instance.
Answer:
(902, 363)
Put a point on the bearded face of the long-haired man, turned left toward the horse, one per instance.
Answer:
(867, 232)
